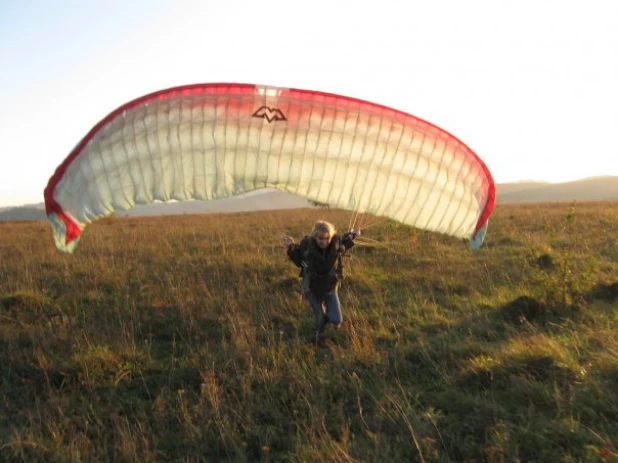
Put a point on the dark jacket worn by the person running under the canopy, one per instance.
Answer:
(319, 265)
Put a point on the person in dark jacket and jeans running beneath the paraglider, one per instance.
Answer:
(317, 255)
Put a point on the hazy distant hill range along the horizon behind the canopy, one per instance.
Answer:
(591, 189)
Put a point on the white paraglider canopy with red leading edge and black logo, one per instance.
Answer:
(210, 141)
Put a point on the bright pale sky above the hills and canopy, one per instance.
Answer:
(530, 85)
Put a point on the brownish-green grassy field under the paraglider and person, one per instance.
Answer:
(185, 339)
